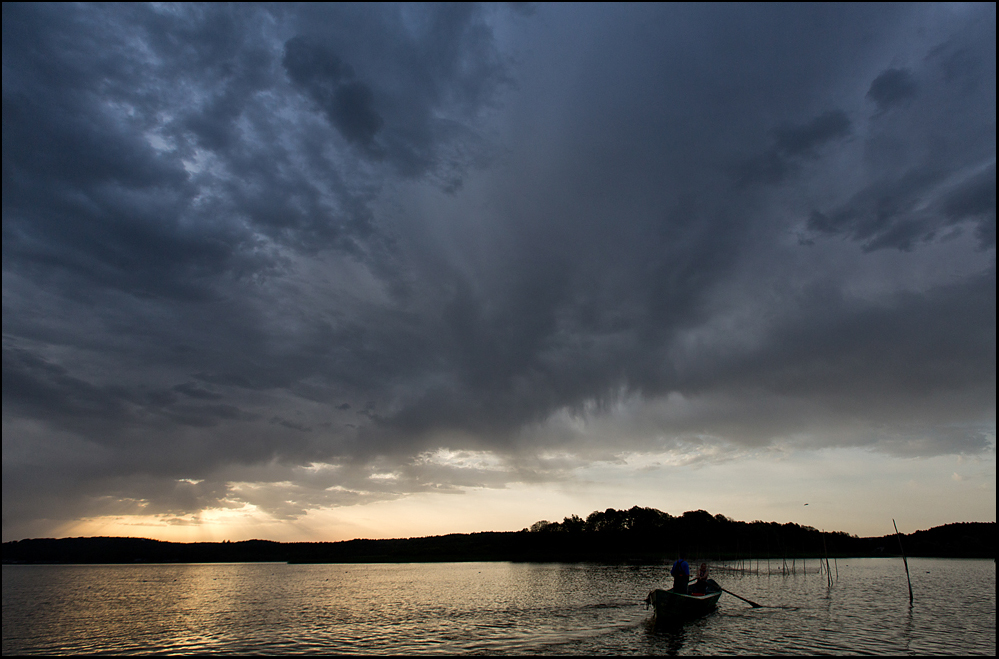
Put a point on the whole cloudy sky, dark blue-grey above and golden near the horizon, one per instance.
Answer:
(323, 272)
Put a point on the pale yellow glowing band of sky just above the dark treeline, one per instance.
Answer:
(849, 490)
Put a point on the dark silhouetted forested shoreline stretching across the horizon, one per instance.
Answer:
(638, 535)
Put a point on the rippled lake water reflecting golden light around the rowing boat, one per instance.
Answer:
(490, 608)
